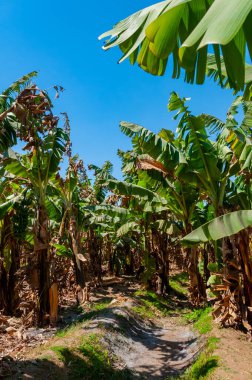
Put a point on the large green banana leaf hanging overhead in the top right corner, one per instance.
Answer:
(185, 29)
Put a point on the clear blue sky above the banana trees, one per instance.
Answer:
(59, 39)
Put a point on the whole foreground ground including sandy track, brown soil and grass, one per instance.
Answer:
(129, 333)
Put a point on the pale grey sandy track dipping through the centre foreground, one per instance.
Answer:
(151, 350)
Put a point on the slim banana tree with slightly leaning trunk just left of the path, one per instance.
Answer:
(65, 205)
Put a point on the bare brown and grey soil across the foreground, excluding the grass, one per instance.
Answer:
(160, 348)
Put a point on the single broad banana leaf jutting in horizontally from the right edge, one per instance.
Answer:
(218, 228)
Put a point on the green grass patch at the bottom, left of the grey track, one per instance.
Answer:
(90, 360)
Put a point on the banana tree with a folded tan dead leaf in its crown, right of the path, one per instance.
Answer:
(161, 159)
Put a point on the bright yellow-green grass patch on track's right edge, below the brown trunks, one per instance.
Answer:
(201, 319)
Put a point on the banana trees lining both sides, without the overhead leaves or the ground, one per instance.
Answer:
(63, 232)
